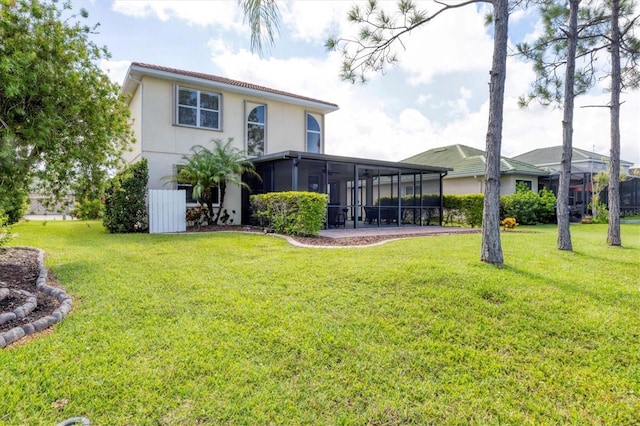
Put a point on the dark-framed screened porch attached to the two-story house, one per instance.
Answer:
(361, 192)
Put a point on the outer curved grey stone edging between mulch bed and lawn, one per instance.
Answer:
(45, 322)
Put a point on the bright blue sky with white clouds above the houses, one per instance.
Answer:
(437, 94)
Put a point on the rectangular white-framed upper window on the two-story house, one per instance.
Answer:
(198, 109)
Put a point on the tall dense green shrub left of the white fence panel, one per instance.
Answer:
(124, 200)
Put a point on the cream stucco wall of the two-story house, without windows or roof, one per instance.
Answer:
(164, 144)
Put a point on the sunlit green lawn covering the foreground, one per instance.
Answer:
(245, 329)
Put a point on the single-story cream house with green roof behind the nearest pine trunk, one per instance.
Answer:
(468, 164)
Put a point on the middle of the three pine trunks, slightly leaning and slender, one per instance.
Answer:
(562, 205)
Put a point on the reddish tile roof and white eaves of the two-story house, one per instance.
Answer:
(137, 70)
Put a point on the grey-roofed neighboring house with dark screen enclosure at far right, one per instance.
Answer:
(584, 164)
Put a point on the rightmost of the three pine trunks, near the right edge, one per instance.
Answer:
(613, 233)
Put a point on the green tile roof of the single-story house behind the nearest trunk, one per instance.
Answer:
(468, 161)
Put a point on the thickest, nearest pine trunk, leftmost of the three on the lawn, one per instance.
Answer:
(491, 251)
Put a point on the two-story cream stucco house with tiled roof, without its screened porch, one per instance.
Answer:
(173, 110)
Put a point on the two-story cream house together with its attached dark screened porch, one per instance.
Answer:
(283, 133)
